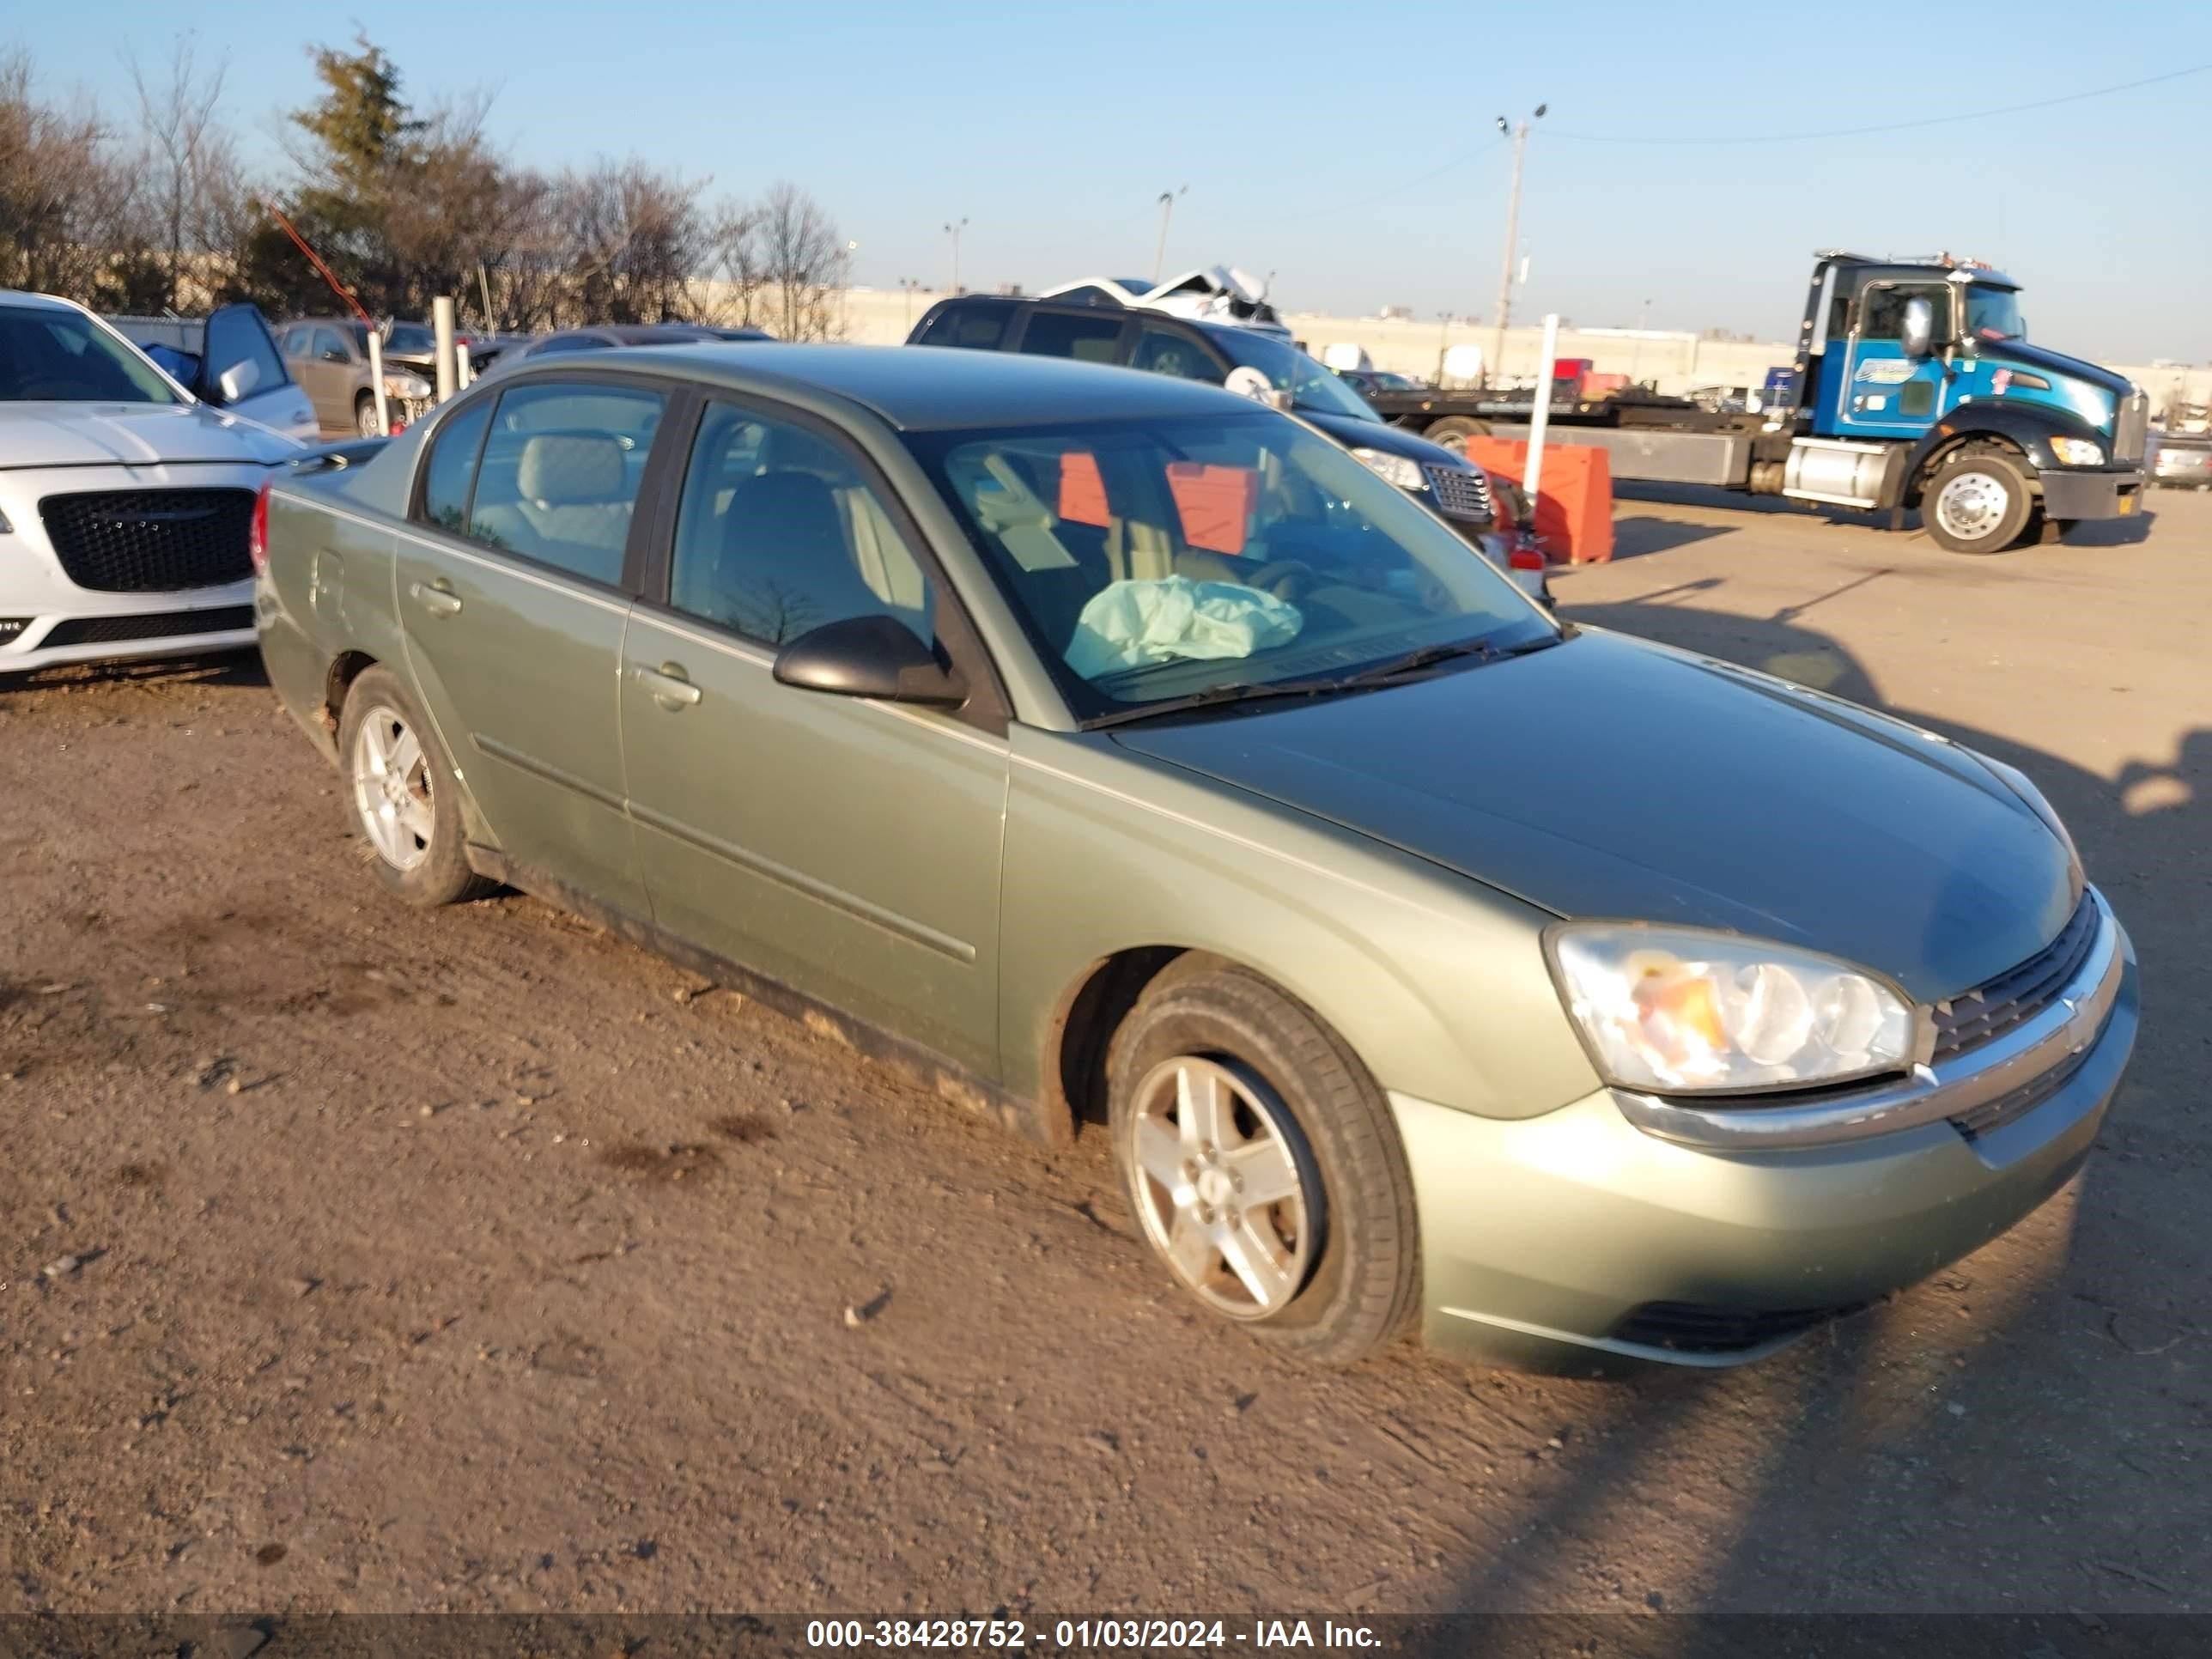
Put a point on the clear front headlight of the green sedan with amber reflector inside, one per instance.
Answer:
(1678, 1010)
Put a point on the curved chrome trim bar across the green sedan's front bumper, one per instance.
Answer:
(1976, 1078)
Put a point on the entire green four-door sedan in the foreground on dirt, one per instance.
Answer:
(1109, 751)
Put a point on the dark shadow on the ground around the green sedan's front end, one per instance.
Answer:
(1872, 1457)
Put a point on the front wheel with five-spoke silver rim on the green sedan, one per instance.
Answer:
(1262, 1165)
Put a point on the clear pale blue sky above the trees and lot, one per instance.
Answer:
(1350, 149)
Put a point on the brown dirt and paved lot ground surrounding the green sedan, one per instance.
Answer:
(368, 1260)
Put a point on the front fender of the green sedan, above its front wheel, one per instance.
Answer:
(1437, 983)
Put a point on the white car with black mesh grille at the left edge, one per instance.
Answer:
(125, 503)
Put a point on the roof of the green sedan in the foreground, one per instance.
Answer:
(937, 388)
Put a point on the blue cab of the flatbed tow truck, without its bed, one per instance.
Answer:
(1917, 388)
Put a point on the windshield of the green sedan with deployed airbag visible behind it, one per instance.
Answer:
(1156, 561)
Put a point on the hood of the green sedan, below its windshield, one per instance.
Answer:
(1611, 778)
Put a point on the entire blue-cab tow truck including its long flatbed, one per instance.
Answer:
(1914, 388)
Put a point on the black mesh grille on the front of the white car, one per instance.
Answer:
(152, 541)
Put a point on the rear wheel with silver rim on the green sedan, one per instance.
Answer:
(404, 795)
